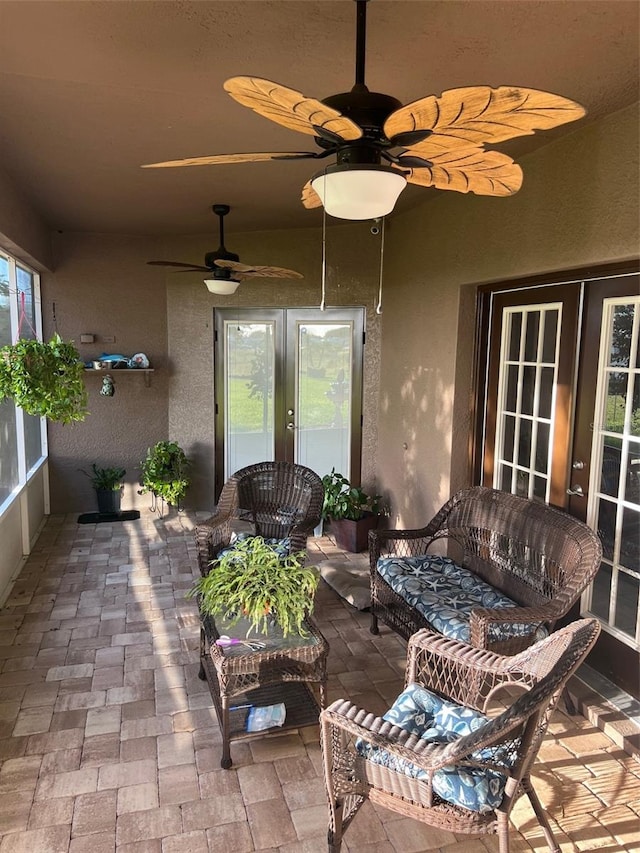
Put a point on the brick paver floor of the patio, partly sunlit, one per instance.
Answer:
(108, 740)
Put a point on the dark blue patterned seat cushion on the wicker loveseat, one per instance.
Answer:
(446, 593)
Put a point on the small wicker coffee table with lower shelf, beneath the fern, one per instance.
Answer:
(240, 677)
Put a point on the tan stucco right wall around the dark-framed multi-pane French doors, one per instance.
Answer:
(579, 205)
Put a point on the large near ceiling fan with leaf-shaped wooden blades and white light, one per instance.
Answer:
(380, 145)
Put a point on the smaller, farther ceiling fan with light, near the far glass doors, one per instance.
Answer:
(223, 268)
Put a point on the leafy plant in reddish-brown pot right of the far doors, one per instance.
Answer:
(351, 511)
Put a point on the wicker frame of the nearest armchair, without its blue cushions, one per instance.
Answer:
(468, 676)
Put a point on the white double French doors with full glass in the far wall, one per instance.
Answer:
(289, 386)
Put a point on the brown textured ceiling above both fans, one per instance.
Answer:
(89, 91)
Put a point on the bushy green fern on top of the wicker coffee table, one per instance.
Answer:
(253, 580)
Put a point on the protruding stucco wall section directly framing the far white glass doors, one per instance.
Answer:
(352, 279)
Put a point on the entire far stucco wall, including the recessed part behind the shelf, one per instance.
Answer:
(103, 286)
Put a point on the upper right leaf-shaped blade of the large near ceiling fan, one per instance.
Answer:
(480, 114)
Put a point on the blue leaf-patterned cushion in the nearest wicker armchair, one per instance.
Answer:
(434, 719)
